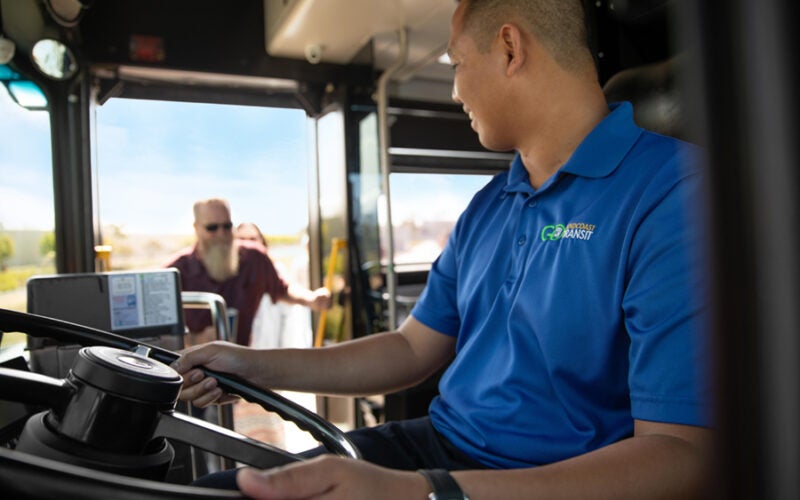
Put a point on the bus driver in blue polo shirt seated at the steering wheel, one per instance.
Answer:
(578, 369)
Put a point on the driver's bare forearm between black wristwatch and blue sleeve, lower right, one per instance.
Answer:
(661, 460)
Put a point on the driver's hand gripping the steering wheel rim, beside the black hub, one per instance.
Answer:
(219, 356)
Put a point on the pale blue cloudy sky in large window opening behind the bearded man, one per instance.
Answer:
(157, 158)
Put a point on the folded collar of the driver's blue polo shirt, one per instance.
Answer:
(598, 155)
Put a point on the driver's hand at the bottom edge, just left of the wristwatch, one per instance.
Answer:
(332, 478)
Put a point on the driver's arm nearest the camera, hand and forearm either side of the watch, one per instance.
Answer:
(661, 461)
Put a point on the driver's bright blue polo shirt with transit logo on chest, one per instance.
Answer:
(578, 306)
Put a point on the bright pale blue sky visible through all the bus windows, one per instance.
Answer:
(155, 159)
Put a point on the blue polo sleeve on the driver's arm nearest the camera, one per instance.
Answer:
(666, 308)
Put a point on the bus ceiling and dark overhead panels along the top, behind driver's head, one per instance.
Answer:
(287, 53)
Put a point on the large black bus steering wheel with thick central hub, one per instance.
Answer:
(107, 428)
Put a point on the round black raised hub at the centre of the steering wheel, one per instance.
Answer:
(109, 420)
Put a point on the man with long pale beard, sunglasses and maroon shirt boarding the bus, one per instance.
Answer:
(240, 271)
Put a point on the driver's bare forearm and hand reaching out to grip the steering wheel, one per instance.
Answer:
(374, 364)
